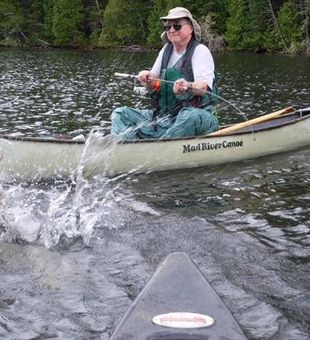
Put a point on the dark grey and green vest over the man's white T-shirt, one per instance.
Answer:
(166, 102)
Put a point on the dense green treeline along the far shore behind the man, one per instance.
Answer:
(256, 25)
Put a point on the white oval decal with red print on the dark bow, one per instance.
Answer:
(183, 320)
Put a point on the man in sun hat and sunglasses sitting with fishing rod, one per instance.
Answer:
(182, 97)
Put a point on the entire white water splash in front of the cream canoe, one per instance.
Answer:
(67, 211)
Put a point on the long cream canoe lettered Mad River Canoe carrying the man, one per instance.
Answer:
(31, 157)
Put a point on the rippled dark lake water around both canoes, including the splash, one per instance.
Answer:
(77, 252)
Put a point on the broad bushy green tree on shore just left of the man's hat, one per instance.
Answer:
(124, 23)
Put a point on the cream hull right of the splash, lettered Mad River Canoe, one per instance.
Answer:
(144, 156)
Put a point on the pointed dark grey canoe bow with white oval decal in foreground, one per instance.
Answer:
(178, 296)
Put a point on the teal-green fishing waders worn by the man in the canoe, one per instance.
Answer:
(176, 116)
